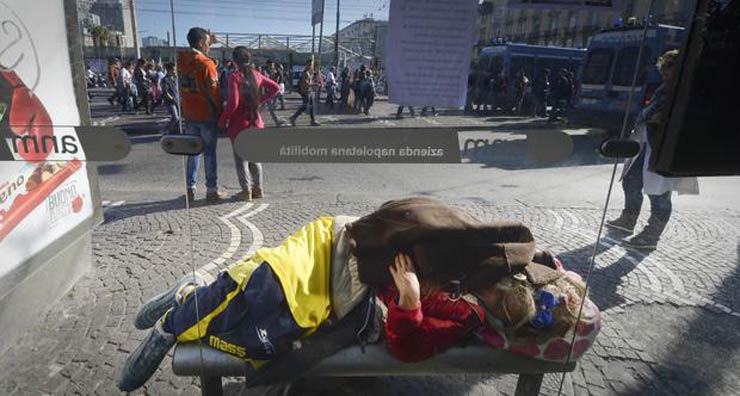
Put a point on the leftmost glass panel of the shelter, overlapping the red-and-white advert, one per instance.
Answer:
(85, 239)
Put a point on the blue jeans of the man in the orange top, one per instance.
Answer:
(209, 132)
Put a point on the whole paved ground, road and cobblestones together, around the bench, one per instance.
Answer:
(671, 316)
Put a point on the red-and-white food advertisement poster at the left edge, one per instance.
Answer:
(45, 193)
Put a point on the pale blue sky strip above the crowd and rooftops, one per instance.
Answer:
(249, 16)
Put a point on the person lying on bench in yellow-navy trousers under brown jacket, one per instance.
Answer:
(263, 307)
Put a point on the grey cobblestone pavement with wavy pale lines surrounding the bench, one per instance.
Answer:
(670, 316)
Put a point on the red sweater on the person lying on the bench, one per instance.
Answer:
(438, 324)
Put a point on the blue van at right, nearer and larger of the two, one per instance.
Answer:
(606, 77)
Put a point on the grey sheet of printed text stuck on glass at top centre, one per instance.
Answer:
(429, 47)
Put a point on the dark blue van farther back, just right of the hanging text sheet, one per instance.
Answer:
(499, 65)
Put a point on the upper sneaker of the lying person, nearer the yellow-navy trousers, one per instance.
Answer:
(155, 307)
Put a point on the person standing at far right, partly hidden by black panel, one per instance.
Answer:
(637, 179)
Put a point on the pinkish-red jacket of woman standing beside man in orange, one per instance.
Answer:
(236, 113)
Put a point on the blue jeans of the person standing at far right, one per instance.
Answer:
(660, 205)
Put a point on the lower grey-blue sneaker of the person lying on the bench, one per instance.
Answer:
(145, 359)
